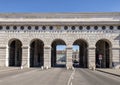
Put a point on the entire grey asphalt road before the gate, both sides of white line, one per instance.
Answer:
(57, 76)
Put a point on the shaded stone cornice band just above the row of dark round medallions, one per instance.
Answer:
(63, 23)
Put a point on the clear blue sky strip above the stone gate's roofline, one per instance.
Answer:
(59, 5)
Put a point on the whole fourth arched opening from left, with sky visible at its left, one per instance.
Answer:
(80, 54)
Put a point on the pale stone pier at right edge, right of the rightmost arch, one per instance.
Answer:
(115, 55)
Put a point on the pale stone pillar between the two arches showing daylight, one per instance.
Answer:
(69, 52)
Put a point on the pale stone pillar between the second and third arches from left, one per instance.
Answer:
(47, 56)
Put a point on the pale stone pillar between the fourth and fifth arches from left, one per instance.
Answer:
(91, 58)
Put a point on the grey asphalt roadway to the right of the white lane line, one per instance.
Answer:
(88, 77)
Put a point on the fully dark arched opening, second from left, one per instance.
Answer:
(36, 53)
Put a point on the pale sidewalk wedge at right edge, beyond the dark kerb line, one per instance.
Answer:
(115, 72)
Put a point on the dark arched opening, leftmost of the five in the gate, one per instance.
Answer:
(15, 53)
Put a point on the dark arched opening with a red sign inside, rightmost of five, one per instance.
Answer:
(103, 54)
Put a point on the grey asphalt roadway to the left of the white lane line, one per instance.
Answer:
(57, 76)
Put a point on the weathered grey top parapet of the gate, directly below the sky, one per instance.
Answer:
(57, 14)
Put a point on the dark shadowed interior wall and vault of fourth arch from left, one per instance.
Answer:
(82, 54)
